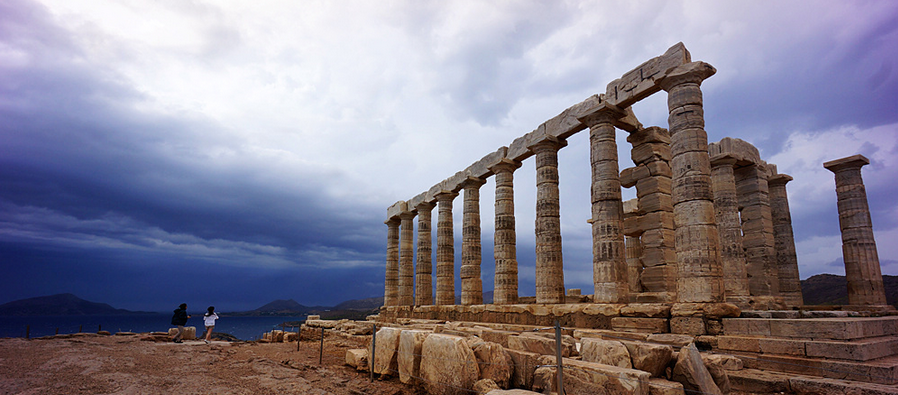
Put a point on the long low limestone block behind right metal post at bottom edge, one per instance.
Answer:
(589, 378)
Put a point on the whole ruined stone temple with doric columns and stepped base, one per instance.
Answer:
(704, 256)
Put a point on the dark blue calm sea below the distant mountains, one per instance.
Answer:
(244, 328)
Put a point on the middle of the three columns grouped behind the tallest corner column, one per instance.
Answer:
(757, 230)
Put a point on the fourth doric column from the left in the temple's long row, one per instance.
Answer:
(445, 250)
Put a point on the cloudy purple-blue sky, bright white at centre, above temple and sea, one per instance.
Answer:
(153, 153)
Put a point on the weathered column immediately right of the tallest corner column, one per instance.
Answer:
(729, 229)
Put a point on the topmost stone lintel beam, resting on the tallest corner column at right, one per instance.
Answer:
(644, 80)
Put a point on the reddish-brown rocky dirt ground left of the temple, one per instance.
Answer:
(96, 364)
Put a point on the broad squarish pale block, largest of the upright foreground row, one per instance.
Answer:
(448, 365)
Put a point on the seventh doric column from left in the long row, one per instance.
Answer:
(549, 263)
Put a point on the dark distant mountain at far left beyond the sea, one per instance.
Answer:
(62, 304)
